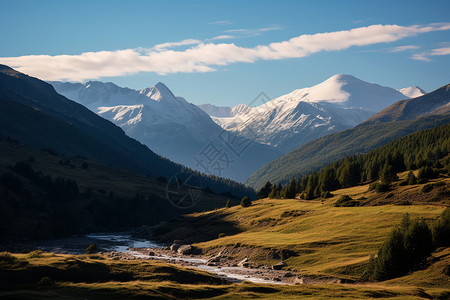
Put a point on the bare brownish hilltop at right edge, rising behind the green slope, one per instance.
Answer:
(436, 102)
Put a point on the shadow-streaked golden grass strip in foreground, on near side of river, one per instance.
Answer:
(158, 280)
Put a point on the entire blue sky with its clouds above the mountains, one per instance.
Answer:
(226, 52)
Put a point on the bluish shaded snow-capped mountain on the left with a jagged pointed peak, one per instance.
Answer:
(172, 127)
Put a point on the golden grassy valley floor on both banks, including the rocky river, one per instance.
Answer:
(325, 250)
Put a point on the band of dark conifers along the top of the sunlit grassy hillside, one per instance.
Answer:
(421, 150)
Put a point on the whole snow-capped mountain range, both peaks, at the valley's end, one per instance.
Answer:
(183, 132)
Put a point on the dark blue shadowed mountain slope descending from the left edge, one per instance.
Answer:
(34, 114)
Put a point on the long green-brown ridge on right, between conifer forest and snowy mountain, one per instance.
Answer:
(402, 118)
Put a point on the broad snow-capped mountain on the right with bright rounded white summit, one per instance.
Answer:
(341, 102)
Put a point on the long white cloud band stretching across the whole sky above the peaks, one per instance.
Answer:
(203, 57)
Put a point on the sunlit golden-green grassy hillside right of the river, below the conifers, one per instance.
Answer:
(314, 237)
